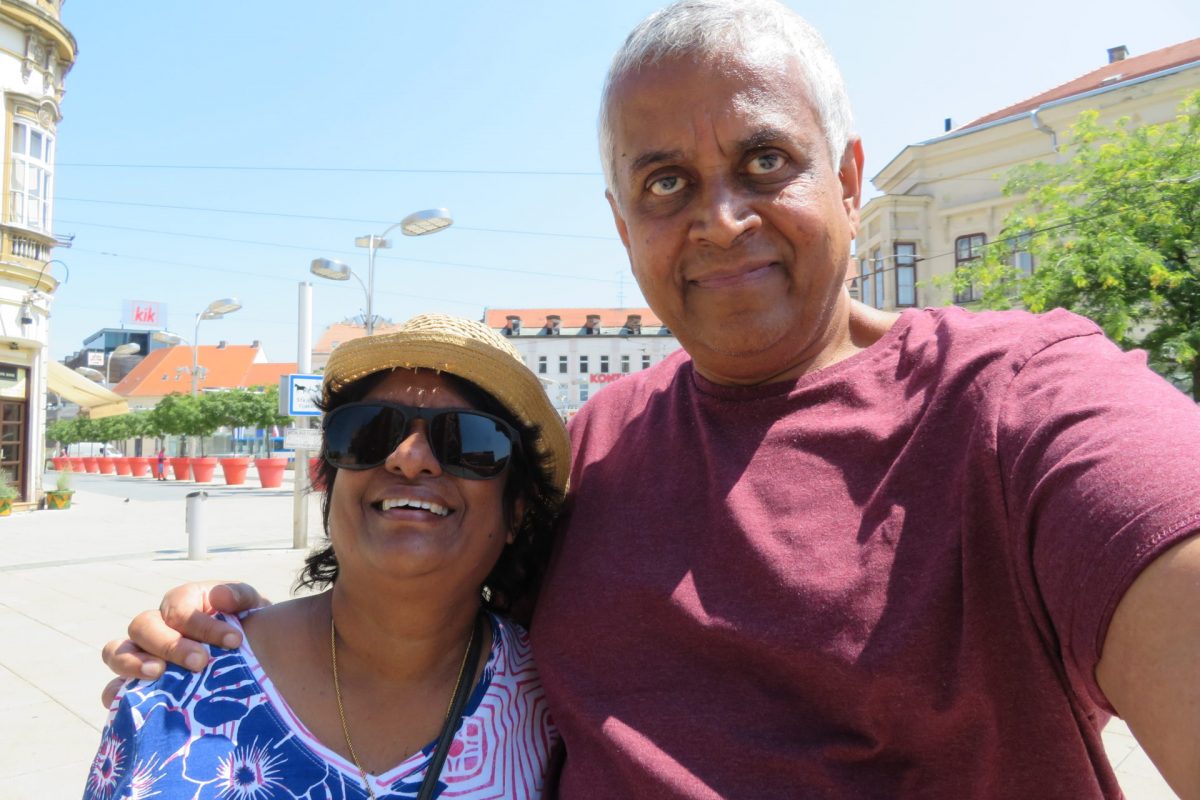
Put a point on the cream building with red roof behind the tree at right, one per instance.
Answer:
(943, 200)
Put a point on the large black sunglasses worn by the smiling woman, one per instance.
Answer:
(467, 443)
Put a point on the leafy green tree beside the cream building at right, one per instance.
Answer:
(1114, 231)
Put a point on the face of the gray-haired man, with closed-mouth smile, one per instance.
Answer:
(737, 225)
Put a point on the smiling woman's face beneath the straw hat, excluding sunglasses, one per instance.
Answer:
(409, 519)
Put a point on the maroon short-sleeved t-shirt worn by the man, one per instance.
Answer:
(891, 579)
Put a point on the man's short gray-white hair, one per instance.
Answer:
(709, 29)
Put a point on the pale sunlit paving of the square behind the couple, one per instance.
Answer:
(71, 580)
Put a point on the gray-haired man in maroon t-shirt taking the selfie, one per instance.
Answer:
(830, 552)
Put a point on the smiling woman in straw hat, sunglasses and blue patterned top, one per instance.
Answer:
(445, 465)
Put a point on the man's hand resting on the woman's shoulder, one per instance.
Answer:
(177, 631)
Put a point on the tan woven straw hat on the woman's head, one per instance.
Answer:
(471, 351)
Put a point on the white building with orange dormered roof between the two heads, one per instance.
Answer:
(579, 352)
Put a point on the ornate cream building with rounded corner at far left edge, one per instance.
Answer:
(37, 53)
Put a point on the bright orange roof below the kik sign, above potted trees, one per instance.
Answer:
(169, 370)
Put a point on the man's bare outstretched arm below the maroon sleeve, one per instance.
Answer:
(1150, 667)
